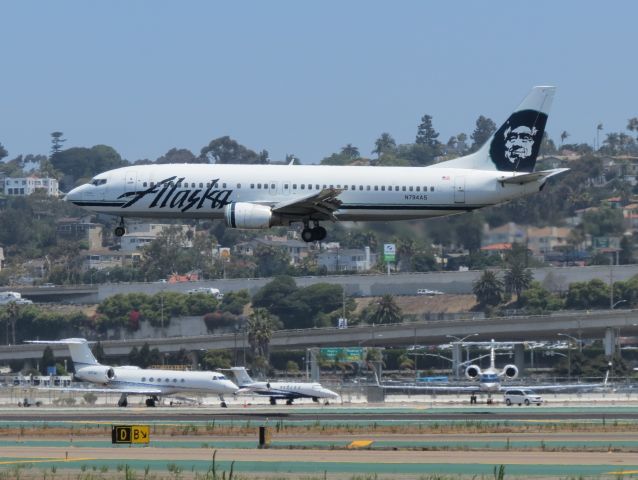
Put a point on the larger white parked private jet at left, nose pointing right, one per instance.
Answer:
(130, 380)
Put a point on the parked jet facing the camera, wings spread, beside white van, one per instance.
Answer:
(490, 379)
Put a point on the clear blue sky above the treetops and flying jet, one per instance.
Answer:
(303, 77)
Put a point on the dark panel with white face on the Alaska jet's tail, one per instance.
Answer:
(516, 144)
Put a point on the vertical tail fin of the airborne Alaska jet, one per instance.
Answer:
(515, 145)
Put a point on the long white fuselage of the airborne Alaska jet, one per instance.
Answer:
(367, 193)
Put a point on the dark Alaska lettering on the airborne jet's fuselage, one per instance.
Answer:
(170, 193)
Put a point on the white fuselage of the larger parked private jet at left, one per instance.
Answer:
(168, 382)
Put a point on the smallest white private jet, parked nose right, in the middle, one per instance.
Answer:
(288, 391)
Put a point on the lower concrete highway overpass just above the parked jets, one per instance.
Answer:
(602, 324)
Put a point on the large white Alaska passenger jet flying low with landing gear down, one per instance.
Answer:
(262, 196)
